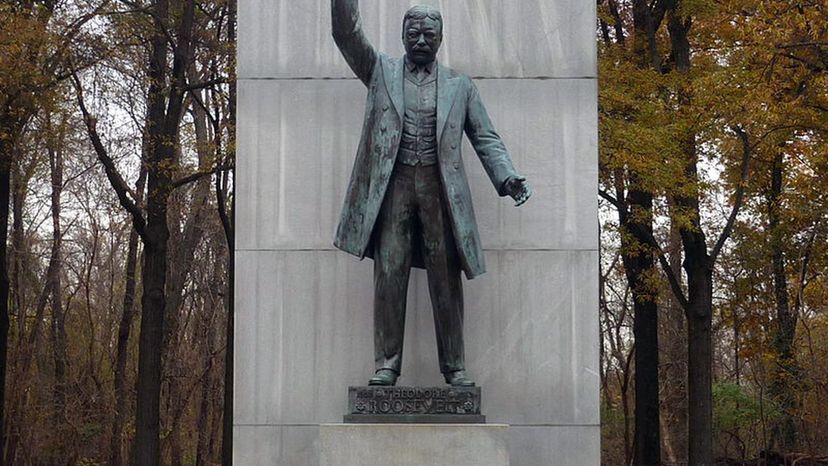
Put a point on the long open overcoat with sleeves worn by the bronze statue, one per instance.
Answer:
(459, 109)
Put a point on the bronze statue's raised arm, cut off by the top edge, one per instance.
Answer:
(349, 37)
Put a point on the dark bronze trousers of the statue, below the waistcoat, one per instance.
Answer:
(414, 210)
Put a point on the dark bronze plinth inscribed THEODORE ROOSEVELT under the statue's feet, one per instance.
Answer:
(414, 404)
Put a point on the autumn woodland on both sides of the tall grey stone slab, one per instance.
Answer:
(116, 212)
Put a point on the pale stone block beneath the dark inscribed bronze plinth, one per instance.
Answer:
(413, 445)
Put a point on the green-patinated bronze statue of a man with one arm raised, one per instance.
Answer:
(408, 201)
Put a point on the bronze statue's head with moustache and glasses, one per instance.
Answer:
(422, 33)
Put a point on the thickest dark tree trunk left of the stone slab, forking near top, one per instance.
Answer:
(164, 110)
